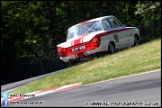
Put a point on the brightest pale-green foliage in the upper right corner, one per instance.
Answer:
(150, 13)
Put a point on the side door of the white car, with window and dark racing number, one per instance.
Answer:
(120, 33)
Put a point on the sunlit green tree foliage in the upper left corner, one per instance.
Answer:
(22, 26)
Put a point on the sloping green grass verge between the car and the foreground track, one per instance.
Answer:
(134, 60)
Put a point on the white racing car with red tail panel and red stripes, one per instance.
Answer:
(103, 34)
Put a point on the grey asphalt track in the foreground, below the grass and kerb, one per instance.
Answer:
(136, 90)
